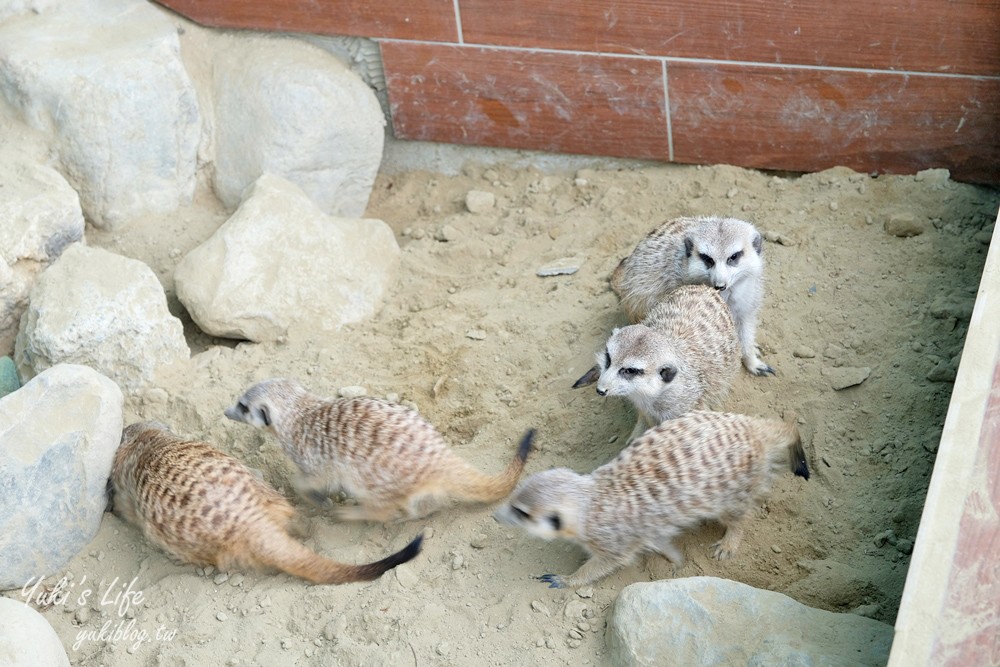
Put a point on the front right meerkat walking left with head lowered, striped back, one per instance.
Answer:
(701, 466)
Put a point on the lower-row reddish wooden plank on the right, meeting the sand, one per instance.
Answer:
(808, 120)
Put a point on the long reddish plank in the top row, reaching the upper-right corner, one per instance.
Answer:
(960, 36)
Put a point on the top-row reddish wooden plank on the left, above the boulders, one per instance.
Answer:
(432, 20)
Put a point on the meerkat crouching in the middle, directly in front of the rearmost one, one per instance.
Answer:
(683, 356)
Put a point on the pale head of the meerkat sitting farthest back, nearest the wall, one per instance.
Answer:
(722, 251)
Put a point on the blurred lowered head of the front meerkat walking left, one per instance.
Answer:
(548, 504)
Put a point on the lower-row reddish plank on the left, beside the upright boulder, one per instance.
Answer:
(544, 101)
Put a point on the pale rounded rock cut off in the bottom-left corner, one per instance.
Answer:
(27, 639)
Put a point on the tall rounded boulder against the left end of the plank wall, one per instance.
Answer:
(293, 110)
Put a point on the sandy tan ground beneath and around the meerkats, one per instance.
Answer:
(486, 349)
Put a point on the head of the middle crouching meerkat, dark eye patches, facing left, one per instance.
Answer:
(636, 362)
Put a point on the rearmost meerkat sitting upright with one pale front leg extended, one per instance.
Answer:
(724, 253)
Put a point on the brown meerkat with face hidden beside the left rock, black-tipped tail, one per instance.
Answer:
(204, 507)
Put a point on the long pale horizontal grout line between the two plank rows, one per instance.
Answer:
(702, 61)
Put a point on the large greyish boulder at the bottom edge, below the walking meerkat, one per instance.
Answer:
(711, 621)
